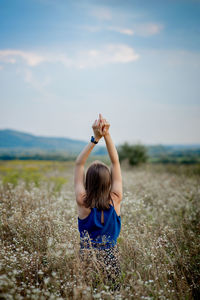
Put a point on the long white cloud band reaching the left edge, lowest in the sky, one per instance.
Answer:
(112, 53)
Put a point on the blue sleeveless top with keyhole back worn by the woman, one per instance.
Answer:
(96, 234)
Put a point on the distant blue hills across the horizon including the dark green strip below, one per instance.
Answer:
(16, 144)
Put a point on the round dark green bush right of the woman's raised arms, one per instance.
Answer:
(135, 154)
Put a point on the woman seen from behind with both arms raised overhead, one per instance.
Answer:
(98, 200)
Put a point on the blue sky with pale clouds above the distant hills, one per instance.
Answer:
(62, 62)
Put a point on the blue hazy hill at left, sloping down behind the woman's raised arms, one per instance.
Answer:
(17, 141)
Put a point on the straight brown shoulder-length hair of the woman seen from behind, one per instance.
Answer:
(98, 185)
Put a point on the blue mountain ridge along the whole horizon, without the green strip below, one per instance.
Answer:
(15, 141)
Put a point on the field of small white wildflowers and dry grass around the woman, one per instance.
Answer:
(159, 242)
